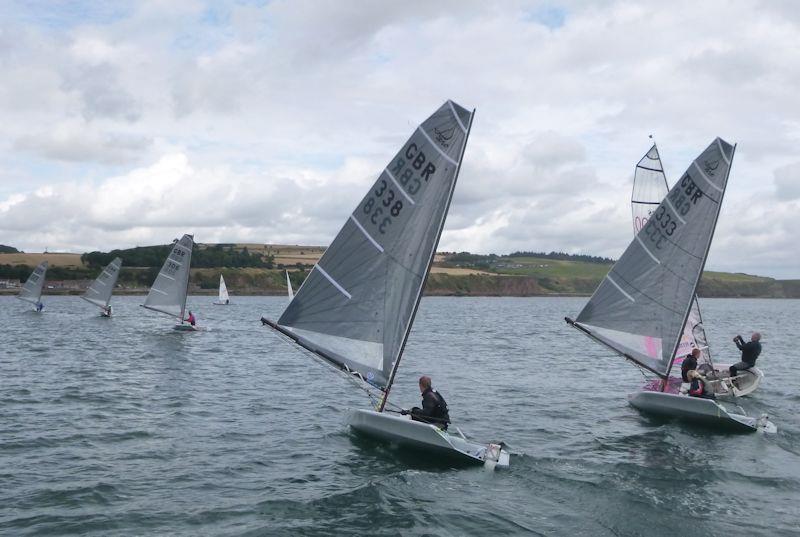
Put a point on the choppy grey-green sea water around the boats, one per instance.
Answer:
(124, 427)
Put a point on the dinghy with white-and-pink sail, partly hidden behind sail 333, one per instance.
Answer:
(649, 189)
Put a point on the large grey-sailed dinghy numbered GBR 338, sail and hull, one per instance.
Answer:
(356, 307)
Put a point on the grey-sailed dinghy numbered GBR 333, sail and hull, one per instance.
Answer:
(642, 305)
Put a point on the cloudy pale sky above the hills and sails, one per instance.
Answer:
(126, 124)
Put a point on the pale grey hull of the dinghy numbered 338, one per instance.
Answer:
(402, 430)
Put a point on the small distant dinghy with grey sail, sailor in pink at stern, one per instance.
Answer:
(168, 293)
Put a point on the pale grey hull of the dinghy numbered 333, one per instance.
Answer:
(696, 410)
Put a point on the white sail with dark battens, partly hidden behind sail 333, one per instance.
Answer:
(649, 189)
